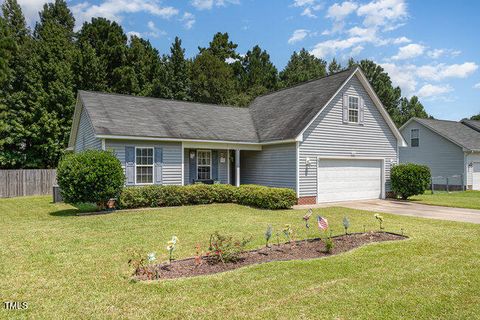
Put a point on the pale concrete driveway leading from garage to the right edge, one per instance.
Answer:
(407, 209)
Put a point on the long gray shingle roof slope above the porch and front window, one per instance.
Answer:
(113, 114)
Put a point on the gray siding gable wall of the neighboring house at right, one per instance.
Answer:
(443, 157)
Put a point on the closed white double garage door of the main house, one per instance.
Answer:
(349, 179)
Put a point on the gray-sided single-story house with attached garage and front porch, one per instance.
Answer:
(328, 139)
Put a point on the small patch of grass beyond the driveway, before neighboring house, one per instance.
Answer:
(459, 199)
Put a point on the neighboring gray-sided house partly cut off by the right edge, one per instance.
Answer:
(450, 149)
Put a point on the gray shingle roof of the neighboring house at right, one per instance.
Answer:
(457, 132)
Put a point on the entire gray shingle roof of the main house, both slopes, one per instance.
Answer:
(280, 115)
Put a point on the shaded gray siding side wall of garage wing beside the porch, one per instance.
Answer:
(274, 166)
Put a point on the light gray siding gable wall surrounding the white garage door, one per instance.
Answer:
(329, 136)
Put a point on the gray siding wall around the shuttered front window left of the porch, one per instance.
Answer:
(172, 157)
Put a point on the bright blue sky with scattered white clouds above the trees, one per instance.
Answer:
(429, 48)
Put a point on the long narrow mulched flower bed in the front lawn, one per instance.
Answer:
(299, 250)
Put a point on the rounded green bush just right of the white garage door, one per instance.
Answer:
(410, 179)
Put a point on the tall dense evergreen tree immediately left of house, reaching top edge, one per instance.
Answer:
(57, 52)
